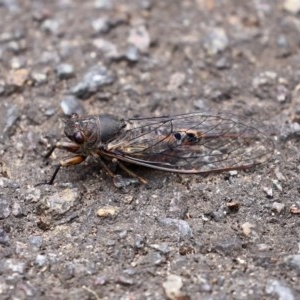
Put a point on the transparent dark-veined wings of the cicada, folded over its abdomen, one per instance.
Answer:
(192, 143)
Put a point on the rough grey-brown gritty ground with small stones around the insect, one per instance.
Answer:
(233, 235)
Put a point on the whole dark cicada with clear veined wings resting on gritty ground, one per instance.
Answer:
(191, 143)
